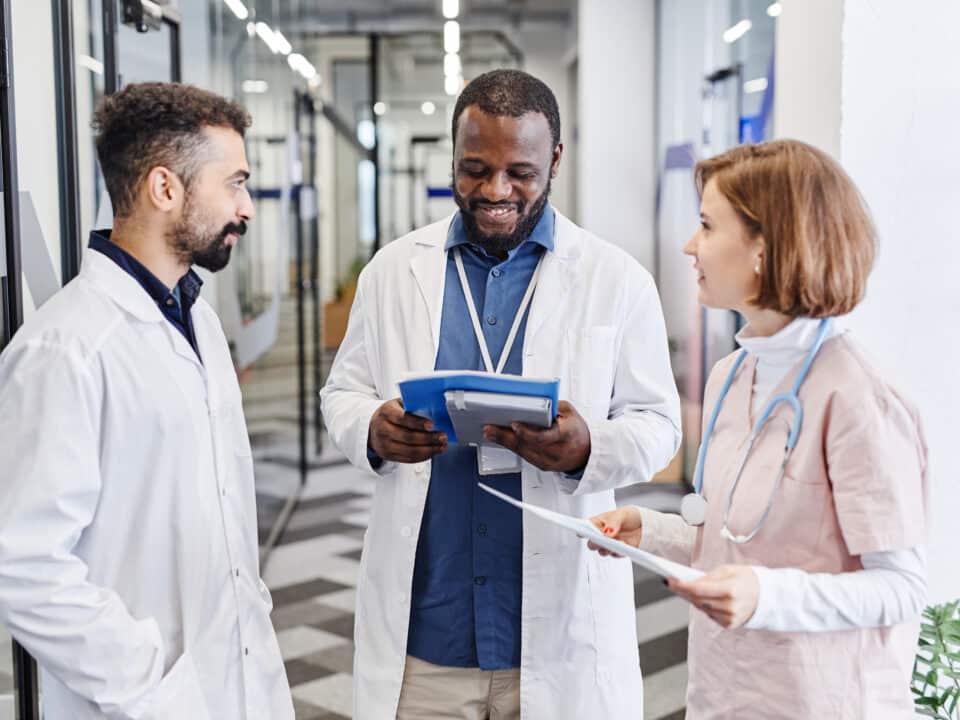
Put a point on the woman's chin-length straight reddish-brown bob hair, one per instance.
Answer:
(819, 240)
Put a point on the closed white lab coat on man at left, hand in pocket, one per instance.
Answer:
(128, 544)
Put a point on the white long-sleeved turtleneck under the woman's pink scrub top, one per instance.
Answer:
(891, 588)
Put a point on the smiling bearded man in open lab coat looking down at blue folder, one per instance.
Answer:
(464, 608)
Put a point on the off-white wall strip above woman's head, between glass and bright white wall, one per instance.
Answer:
(808, 50)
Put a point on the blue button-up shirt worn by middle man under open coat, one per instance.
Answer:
(468, 575)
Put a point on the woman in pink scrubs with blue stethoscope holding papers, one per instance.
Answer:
(809, 511)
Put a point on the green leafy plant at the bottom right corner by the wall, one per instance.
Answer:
(936, 670)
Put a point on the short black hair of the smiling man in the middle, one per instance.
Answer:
(509, 93)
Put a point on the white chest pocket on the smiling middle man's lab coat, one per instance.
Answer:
(591, 369)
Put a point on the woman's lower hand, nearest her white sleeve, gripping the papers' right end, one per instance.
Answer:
(728, 594)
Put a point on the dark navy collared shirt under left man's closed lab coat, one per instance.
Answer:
(175, 304)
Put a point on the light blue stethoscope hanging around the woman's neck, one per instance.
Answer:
(693, 507)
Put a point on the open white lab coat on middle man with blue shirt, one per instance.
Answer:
(595, 322)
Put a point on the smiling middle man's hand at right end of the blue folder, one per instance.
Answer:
(562, 447)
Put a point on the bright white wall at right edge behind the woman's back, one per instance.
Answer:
(901, 101)
